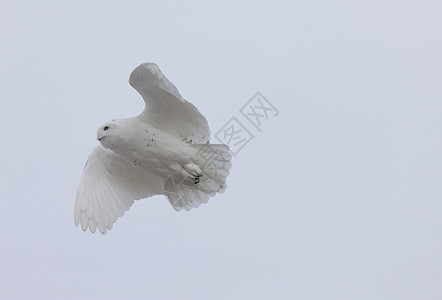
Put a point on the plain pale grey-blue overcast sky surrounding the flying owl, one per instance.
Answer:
(338, 197)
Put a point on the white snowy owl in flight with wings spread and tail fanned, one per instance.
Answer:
(163, 151)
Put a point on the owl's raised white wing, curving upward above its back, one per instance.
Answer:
(165, 108)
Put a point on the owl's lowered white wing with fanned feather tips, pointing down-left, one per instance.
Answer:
(108, 187)
